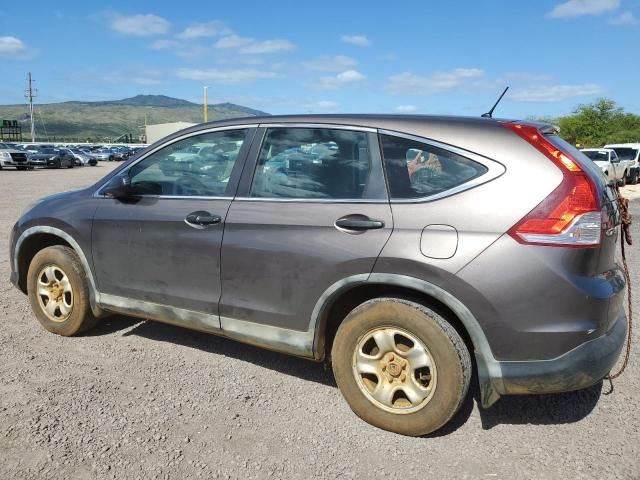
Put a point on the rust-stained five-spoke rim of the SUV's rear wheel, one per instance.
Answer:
(394, 370)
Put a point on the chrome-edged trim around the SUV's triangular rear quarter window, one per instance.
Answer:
(495, 169)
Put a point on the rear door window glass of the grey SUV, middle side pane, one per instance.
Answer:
(313, 163)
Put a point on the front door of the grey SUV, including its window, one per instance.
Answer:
(162, 246)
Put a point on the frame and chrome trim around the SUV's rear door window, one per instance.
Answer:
(377, 167)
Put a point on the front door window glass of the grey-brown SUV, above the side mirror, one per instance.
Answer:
(197, 166)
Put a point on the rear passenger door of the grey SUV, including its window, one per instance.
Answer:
(311, 210)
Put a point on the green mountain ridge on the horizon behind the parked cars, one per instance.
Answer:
(97, 121)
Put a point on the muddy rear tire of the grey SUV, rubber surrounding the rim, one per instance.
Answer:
(444, 345)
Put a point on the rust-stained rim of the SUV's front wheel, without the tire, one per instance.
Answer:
(55, 295)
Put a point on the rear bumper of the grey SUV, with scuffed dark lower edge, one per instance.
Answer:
(579, 368)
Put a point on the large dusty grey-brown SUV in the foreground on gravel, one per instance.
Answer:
(396, 278)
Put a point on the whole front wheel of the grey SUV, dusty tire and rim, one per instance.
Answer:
(58, 291)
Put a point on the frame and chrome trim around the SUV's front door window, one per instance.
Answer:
(251, 129)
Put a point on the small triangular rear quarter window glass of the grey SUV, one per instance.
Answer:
(416, 170)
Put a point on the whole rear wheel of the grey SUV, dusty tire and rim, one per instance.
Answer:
(401, 366)
